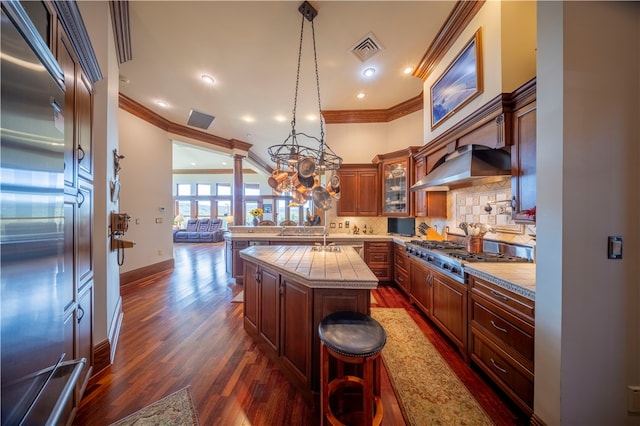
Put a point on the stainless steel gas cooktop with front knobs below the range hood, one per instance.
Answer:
(450, 257)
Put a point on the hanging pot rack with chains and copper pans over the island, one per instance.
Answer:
(303, 168)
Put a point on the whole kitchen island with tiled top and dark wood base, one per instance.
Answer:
(288, 290)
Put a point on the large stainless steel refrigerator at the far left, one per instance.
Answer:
(38, 377)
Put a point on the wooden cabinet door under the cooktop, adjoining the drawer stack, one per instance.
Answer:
(449, 309)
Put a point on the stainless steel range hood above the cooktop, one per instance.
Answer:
(469, 163)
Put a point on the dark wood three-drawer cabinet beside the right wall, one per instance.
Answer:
(501, 339)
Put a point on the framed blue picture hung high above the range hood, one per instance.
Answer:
(459, 84)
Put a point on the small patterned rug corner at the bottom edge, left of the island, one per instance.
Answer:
(176, 409)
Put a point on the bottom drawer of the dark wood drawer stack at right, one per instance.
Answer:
(514, 379)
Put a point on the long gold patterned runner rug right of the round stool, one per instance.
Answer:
(427, 389)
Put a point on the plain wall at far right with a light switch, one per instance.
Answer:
(587, 306)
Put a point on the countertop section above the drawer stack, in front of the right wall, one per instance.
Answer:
(519, 278)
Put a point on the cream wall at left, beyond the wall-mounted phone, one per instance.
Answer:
(145, 194)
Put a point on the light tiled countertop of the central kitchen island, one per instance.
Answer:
(316, 269)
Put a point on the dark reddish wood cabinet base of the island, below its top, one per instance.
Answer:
(282, 317)
